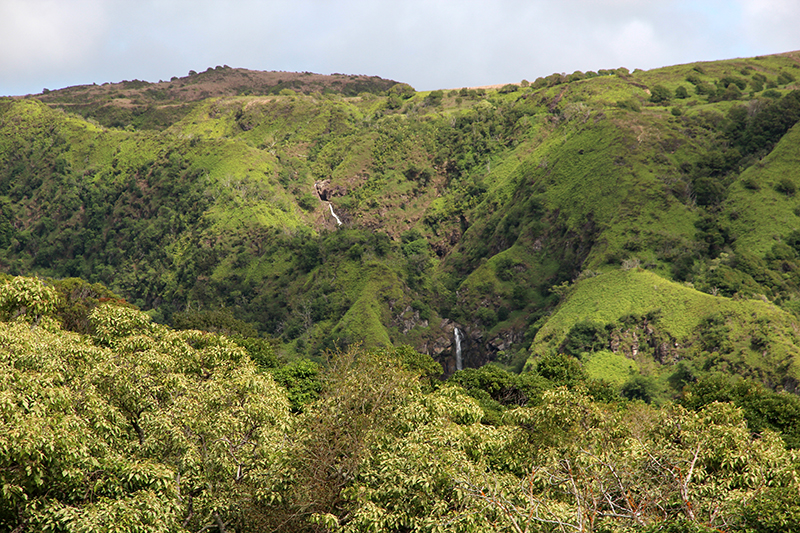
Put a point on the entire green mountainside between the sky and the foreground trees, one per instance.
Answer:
(623, 201)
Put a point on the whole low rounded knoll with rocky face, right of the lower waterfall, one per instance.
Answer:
(657, 323)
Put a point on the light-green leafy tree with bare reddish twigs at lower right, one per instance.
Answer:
(594, 468)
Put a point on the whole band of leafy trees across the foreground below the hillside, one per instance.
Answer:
(140, 427)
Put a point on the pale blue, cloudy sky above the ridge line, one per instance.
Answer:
(430, 44)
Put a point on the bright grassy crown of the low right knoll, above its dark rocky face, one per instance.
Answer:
(611, 296)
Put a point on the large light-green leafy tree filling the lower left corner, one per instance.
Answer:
(139, 428)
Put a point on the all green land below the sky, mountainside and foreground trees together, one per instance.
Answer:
(240, 302)
